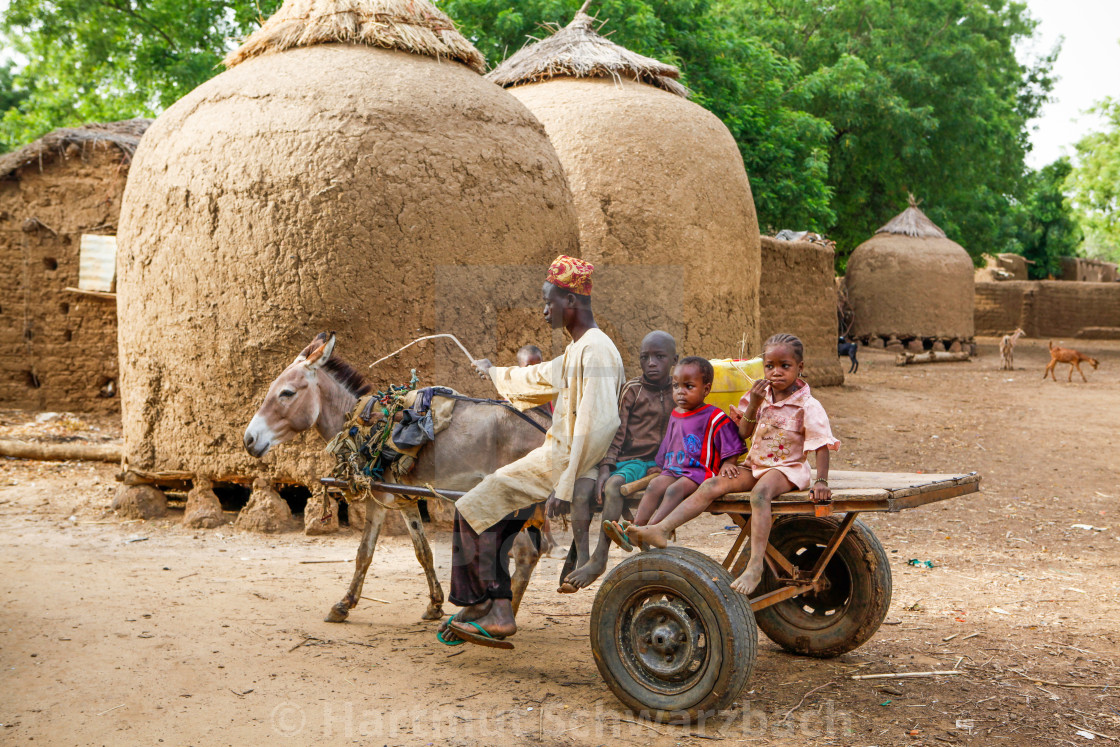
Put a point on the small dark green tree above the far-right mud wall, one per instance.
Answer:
(1044, 228)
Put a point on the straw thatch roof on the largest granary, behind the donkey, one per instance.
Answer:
(415, 26)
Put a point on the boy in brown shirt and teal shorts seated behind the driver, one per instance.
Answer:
(643, 407)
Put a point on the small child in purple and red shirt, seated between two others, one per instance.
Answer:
(699, 441)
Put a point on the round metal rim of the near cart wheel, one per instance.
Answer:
(662, 640)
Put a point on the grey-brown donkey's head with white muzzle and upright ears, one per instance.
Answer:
(315, 390)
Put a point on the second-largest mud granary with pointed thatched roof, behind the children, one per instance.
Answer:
(656, 179)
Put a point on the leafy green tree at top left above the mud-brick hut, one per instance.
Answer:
(106, 60)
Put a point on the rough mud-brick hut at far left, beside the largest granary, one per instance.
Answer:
(58, 346)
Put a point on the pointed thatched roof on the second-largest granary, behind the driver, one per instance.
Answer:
(580, 51)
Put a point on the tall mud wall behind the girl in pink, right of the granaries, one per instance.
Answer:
(798, 295)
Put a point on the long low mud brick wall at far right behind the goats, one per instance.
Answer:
(1048, 309)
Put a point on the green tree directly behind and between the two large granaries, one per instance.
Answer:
(740, 78)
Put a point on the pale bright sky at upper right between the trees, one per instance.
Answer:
(1088, 69)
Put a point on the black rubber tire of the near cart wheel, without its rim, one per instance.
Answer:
(730, 625)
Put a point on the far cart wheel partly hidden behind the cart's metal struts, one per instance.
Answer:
(853, 604)
